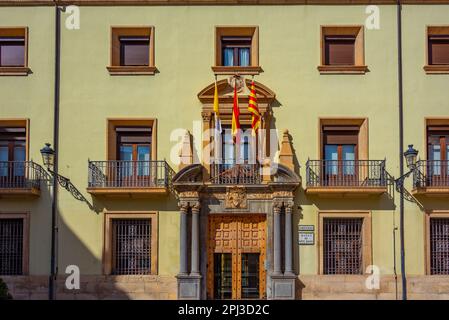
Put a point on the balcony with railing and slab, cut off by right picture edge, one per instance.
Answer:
(431, 178)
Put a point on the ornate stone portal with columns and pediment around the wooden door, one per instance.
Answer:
(201, 196)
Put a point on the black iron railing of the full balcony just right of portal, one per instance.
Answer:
(346, 173)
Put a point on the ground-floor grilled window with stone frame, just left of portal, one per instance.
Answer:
(131, 243)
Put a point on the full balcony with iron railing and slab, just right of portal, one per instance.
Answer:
(346, 177)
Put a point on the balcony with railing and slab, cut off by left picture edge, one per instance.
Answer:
(20, 178)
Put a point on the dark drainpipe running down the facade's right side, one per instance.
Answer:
(401, 149)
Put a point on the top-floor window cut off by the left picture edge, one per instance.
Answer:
(13, 51)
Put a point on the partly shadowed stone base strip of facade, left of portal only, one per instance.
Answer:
(95, 288)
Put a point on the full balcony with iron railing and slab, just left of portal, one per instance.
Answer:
(129, 178)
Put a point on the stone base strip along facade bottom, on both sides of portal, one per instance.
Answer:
(316, 287)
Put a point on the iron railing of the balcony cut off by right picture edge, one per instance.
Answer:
(431, 173)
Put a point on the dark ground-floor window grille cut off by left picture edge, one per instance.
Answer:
(11, 246)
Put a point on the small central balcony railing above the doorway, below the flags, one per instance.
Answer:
(236, 173)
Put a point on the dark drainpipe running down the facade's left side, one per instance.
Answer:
(54, 207)
